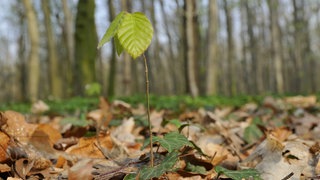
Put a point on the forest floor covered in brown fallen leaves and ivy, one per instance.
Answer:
(278, 138)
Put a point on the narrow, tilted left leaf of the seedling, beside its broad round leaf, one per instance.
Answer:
(113, 28)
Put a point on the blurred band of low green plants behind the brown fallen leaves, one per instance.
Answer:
(175, 103)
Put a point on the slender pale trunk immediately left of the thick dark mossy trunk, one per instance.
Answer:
(69, 41)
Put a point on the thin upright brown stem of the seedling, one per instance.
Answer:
(148, 107)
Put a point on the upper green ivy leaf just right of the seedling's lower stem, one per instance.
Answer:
(173, 141)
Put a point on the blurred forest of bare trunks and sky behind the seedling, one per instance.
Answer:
(48, 49)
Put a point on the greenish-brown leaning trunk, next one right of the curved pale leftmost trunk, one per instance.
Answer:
(54, 75)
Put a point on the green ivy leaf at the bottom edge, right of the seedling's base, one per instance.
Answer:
(239, 175)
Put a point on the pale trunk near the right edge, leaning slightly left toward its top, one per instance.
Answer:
(276, 47)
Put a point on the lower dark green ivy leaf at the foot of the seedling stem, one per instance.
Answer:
(165, 166)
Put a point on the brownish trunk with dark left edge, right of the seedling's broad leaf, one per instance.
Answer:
(191, 48)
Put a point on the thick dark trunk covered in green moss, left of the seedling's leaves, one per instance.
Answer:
(85, 44)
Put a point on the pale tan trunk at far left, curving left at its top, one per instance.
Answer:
(33, 59)
